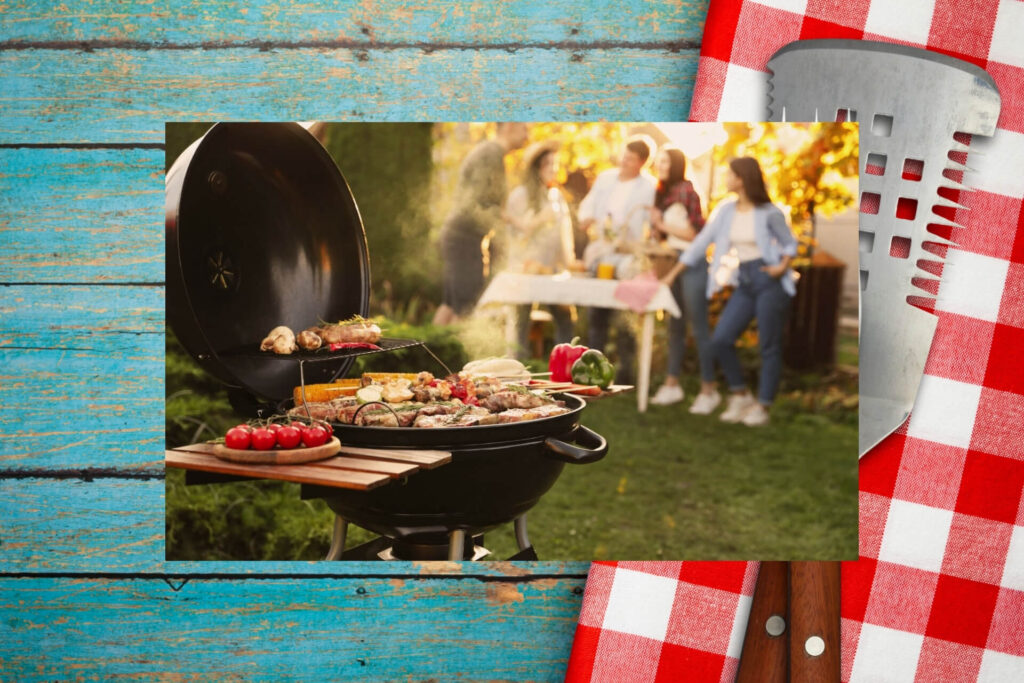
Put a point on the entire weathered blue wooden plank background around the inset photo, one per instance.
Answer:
(86, 89)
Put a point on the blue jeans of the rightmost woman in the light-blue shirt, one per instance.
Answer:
(759, 295)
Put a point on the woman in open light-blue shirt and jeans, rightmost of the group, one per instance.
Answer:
(754, 232)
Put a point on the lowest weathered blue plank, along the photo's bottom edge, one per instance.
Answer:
(286, 629)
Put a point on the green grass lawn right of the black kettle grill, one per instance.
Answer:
(681, 487)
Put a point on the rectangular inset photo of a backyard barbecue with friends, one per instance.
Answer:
(511, 341)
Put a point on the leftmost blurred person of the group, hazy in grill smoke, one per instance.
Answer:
(477, 215)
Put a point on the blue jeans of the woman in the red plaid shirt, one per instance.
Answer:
(690, 290)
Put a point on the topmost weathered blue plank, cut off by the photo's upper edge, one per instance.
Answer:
(432, 25)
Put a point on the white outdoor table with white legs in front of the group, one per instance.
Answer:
(514, 289)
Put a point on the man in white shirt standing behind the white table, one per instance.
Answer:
(621, 198)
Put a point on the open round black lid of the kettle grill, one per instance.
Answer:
(262, 231)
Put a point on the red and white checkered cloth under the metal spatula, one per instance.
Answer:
(938, 592)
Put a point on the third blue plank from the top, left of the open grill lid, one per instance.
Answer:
(81, 217)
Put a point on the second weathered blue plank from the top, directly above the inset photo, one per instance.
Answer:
(117, 96)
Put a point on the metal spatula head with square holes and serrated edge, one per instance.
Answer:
(910, 104)
